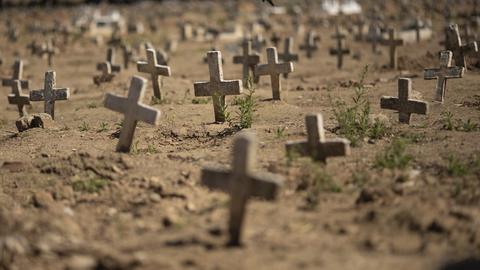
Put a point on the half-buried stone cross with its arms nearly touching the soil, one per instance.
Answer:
(317, 146)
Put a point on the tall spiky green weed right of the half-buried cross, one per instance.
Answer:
(354, 121)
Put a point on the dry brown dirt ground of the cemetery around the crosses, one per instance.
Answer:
(69, 201)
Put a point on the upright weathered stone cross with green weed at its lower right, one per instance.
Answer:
(217, 87)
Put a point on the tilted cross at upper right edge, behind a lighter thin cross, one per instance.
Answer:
(455, 45)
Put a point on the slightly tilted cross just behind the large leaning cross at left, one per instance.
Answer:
(154, 69)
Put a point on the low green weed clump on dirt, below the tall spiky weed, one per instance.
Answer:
(394, 156)
